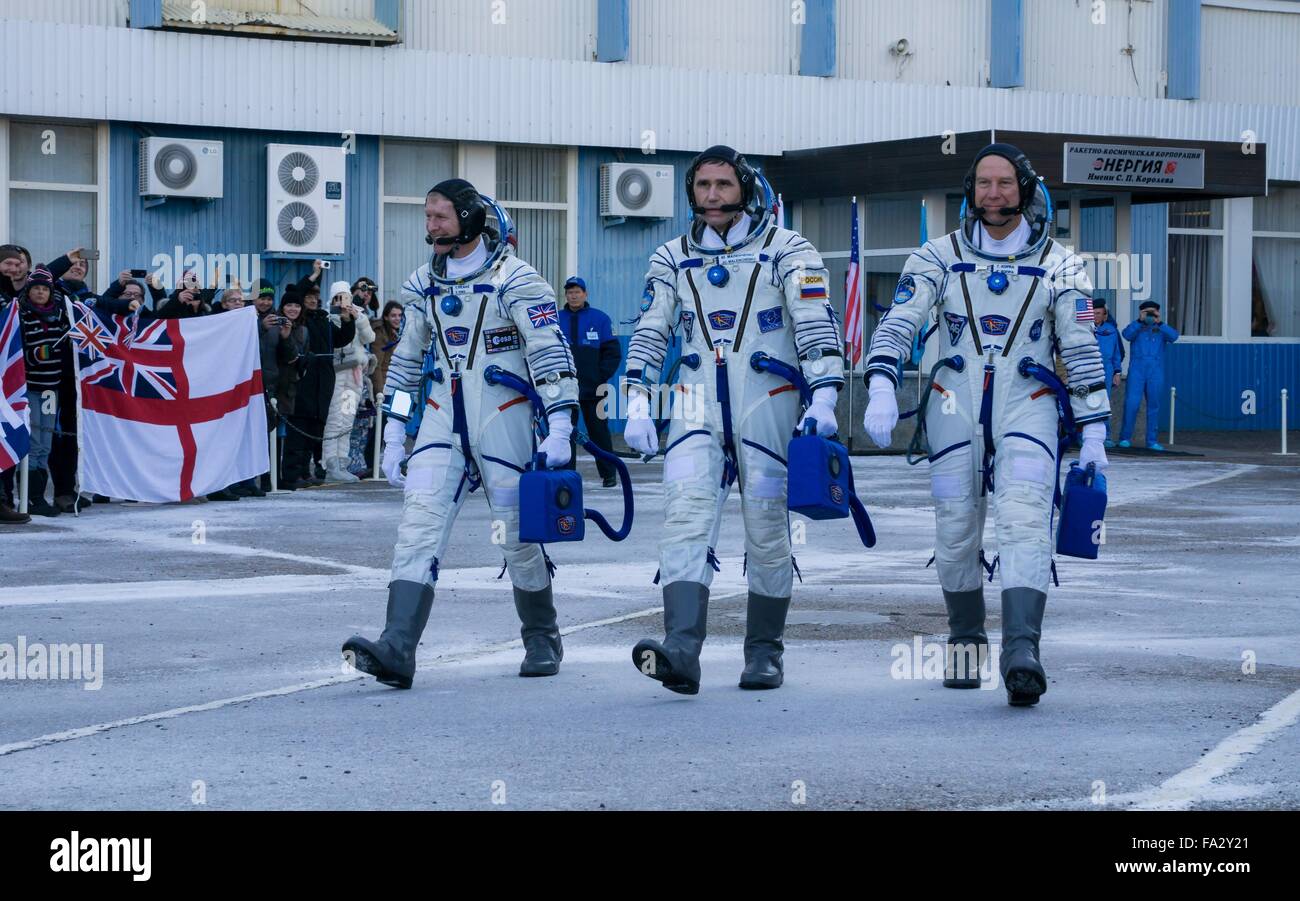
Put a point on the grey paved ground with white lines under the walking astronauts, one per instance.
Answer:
(223, 682)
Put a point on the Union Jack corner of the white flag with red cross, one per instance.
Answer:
(125, 354)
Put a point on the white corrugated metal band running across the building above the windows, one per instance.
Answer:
(235, 83)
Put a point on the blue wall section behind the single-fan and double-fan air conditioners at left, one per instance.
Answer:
(236, 224)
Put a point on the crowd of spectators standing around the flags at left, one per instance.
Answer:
(323, 369)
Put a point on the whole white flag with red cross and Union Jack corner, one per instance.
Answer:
(170, 409)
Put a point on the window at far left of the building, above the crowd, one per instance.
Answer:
(53, 189)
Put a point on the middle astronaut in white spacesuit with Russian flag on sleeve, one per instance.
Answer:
(735, 284)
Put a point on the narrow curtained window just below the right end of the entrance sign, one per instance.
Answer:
(1197, 268)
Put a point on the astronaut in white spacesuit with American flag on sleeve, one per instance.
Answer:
(999, 289)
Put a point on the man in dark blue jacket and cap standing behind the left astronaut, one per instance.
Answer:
(597, 356)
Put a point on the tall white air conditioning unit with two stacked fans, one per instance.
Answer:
(306, 200)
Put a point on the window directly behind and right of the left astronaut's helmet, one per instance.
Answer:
(532, 187)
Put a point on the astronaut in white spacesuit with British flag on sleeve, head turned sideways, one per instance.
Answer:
(473, 306)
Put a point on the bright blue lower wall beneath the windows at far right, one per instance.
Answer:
(1211, 380)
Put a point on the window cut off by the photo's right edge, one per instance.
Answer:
(1276, 275)
